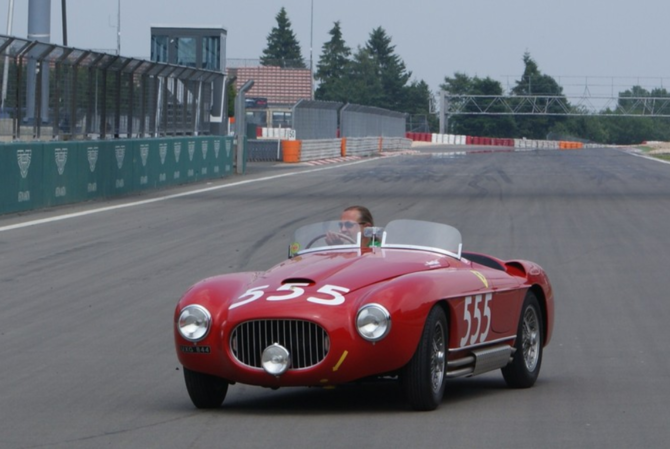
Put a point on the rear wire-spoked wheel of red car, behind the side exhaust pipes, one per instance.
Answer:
(522, 372)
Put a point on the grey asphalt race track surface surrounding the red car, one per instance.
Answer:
(88, 294)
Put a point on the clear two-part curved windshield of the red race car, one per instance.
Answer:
(399, 234)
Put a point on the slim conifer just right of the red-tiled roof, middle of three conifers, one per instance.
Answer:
(332, 66)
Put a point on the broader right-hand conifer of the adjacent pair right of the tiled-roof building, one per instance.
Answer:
(390, 69)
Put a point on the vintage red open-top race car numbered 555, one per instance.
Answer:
(400, 302)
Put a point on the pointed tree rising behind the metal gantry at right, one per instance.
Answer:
(532, 83)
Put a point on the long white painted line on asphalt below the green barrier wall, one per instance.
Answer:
(169, 197)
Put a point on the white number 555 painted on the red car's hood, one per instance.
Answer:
(330, 295)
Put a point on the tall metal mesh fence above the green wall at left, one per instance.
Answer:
(84, 94)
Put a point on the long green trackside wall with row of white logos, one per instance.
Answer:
(35, 175)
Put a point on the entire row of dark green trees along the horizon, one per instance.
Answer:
(374, 75)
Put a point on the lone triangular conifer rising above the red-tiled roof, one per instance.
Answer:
(283, 49)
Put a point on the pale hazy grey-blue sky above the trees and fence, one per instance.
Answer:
(615, 43)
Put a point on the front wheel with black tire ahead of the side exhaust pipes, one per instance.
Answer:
(423, 378)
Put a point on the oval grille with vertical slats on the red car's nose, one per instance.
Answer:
(306, 342)
